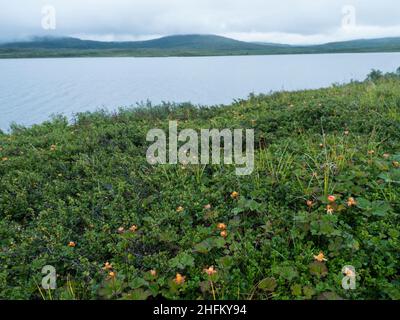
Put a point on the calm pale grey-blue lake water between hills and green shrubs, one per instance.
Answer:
(31, 90)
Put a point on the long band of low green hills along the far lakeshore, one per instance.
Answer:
(182, 45)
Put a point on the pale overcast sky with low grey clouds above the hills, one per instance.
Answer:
(282, 21)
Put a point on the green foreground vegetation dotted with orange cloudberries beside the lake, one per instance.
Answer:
(324, 194)
